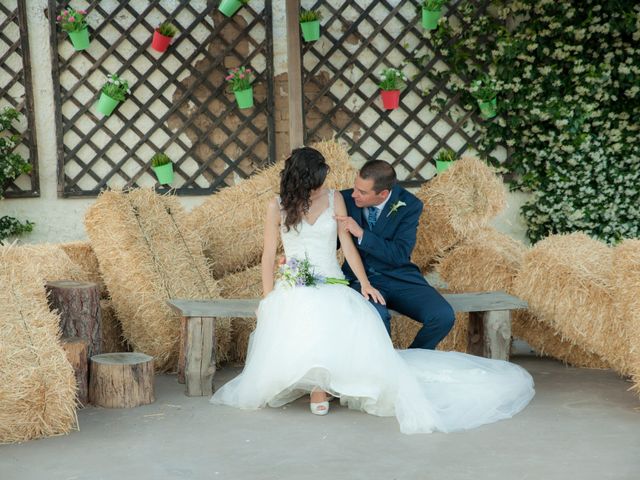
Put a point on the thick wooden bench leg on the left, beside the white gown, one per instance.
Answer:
(198, 356)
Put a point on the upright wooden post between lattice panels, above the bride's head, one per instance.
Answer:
(294, 75)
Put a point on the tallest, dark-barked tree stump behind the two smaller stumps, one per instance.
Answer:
(78, 304)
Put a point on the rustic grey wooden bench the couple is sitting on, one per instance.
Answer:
(489, 330)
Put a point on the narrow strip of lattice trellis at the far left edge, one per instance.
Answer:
(16, 91)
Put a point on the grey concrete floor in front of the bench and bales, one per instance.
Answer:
(582, 424)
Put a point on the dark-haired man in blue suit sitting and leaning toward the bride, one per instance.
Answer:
(383, 219)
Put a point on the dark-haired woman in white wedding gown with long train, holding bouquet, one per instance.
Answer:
(317, 336)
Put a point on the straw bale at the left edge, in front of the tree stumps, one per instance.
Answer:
(37, 383)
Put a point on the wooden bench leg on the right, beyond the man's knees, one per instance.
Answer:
(490, 334)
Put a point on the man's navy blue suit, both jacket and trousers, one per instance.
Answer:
(386, 255)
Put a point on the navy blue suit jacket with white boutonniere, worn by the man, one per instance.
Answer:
(386, 250)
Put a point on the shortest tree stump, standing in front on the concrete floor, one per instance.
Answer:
(121, 380)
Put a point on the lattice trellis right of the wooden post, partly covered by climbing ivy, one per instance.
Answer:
(340, 83)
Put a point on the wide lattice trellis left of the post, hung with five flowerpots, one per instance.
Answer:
(179, 102)
